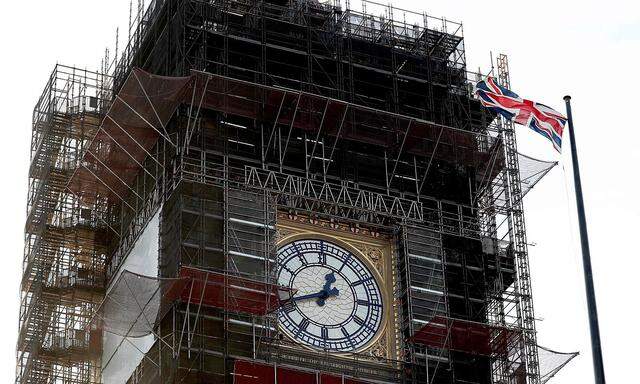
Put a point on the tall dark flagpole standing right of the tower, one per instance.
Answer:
(596, 349)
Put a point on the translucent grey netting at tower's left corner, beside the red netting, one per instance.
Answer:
(135, 303)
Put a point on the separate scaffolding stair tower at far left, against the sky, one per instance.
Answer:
(65, 241)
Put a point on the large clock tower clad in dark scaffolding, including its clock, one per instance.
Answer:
(325, 190)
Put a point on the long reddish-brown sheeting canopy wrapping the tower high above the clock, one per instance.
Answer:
(140, 112)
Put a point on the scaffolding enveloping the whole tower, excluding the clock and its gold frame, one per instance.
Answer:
(225, 115)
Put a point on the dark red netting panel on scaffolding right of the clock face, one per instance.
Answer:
(466, 336)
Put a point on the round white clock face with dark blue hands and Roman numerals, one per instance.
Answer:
(337, 305)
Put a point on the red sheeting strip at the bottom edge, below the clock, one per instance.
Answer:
(251, 372)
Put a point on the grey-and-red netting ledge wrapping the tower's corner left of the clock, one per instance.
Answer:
(135, 302)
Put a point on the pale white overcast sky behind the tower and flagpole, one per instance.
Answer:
(589, 49)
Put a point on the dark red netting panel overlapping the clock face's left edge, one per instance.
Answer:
(232, 293)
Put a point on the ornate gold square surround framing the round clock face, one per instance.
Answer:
(373, 249)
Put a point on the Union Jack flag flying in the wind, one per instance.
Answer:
(539, 117)
